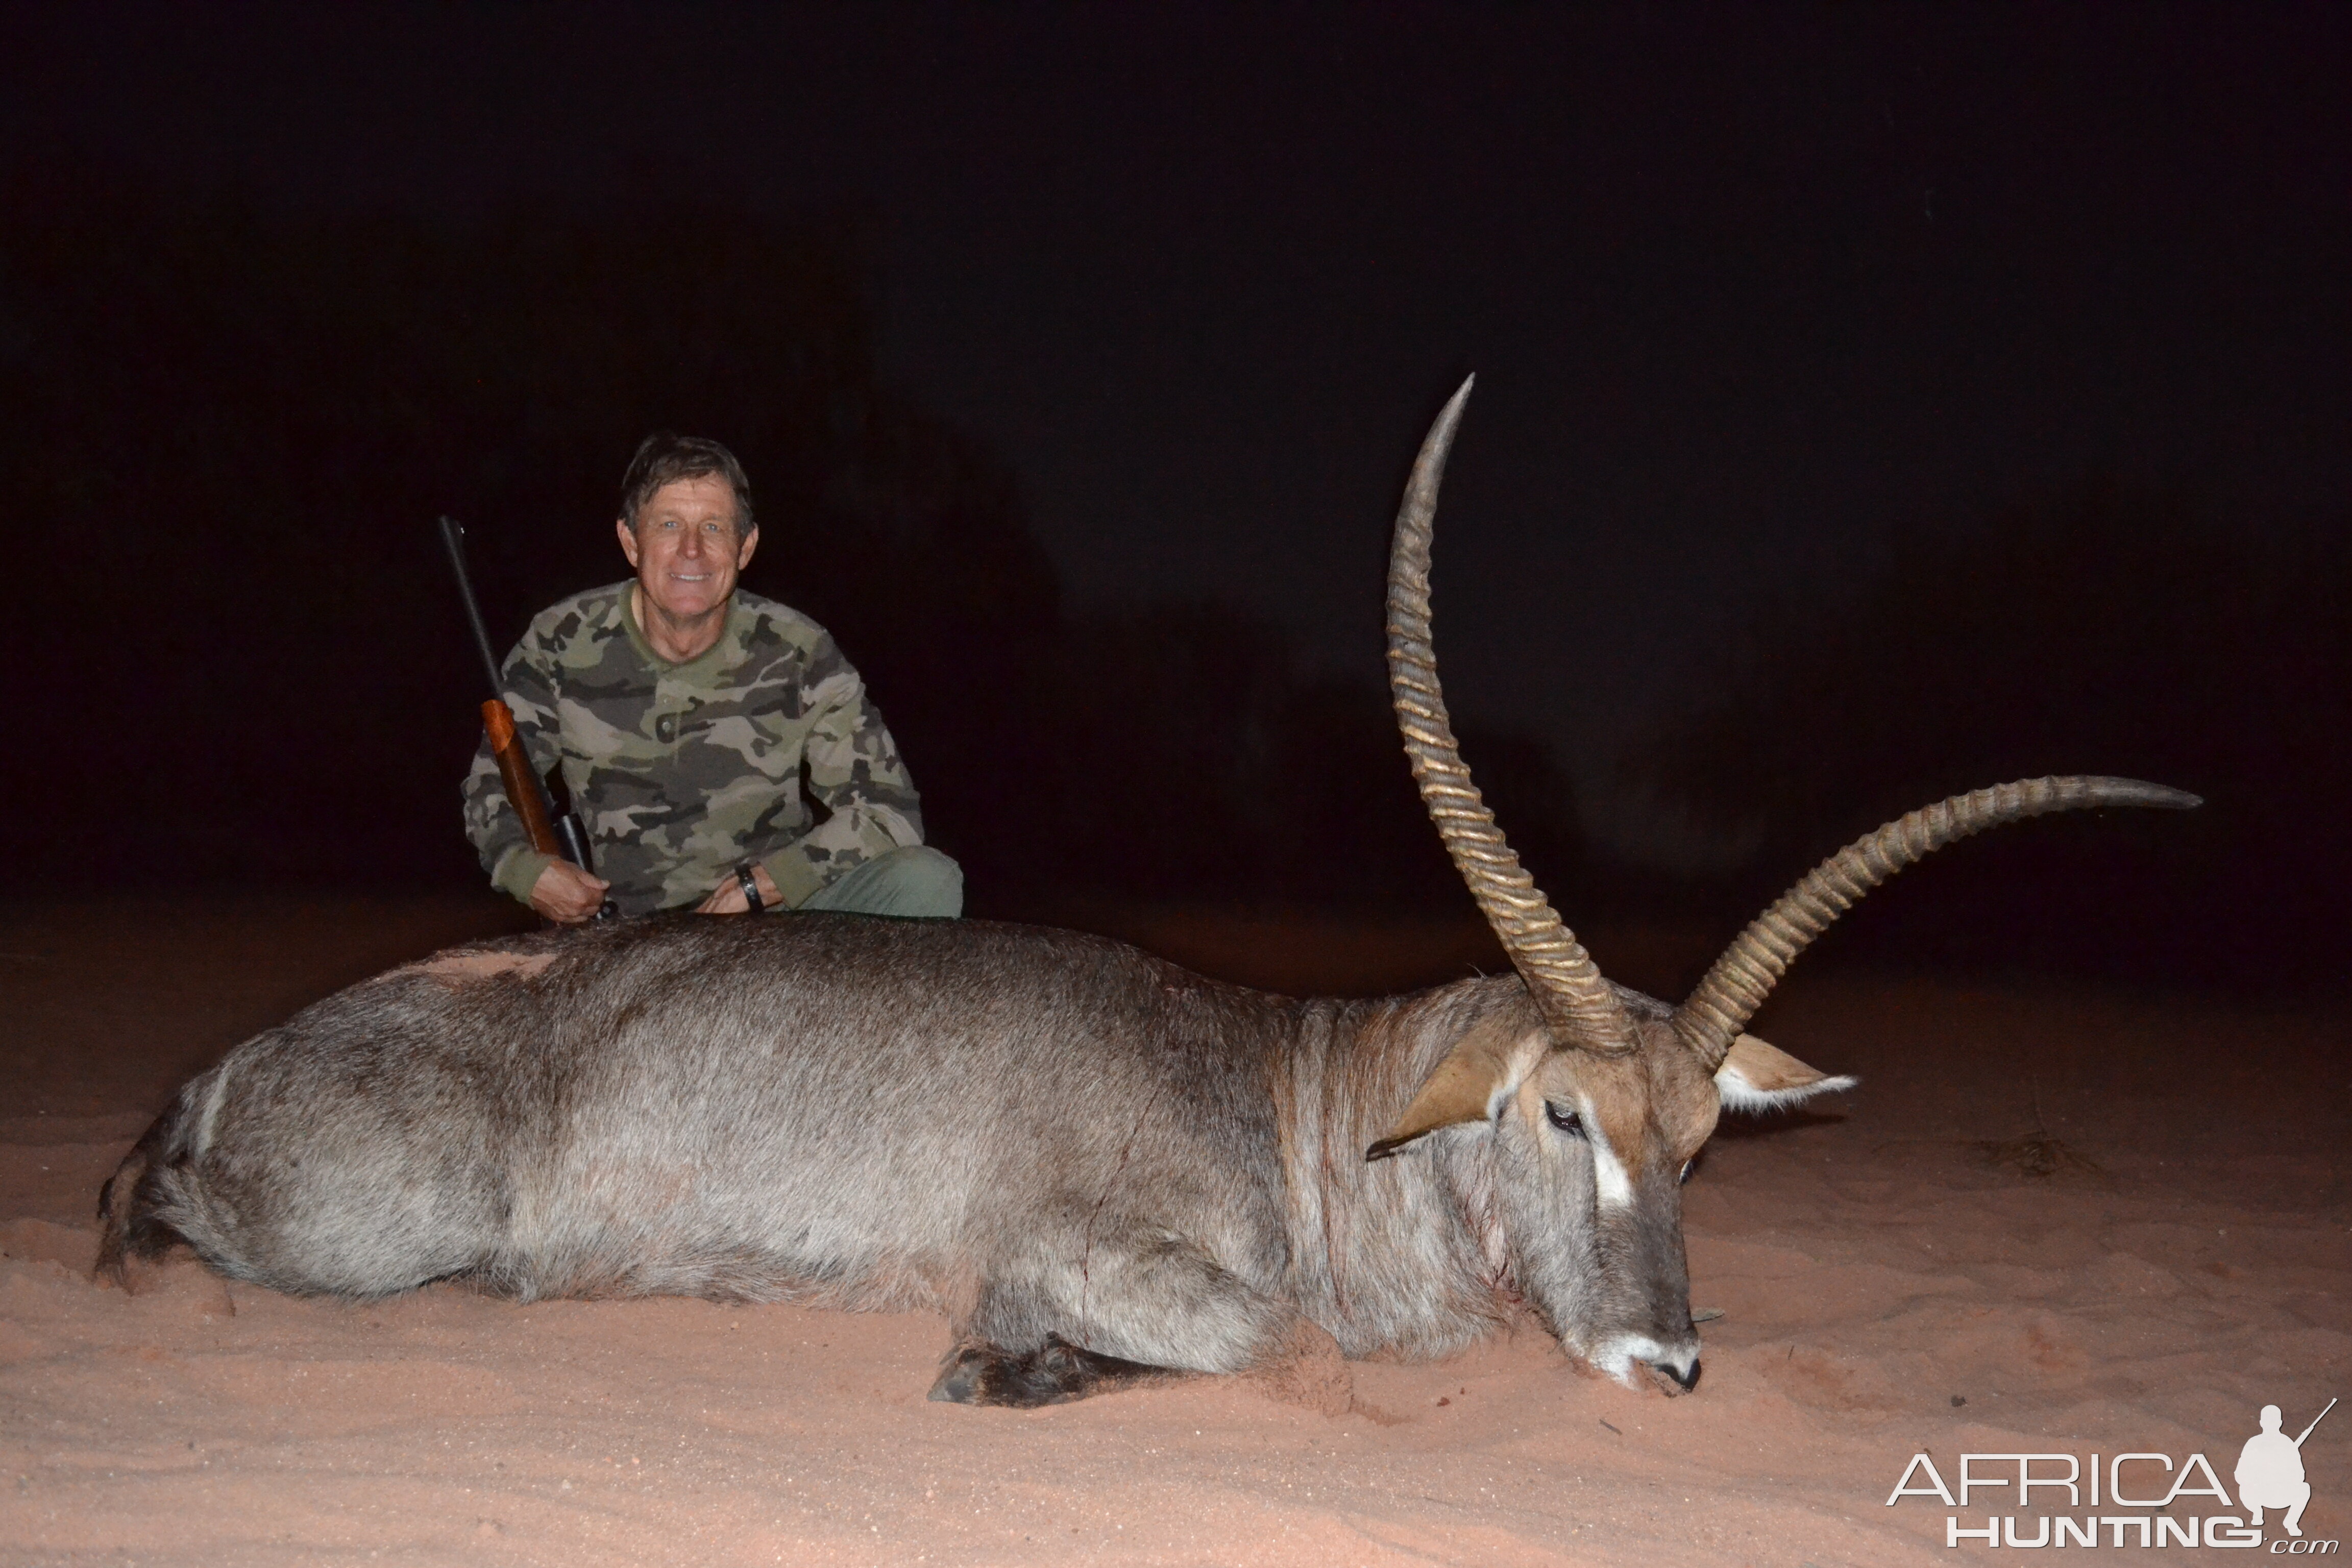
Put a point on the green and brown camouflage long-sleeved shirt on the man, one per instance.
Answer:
(681, 772)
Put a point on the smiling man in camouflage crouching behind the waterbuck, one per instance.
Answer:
(697, 725)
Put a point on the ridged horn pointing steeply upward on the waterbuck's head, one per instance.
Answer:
(1568, 986)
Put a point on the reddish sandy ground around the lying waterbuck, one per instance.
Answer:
(2047, 1224)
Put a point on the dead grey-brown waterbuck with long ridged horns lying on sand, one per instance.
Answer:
(1095, 1162)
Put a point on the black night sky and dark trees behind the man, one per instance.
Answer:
(1873, 403)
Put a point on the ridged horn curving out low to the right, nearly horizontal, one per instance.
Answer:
(1730, 996)
